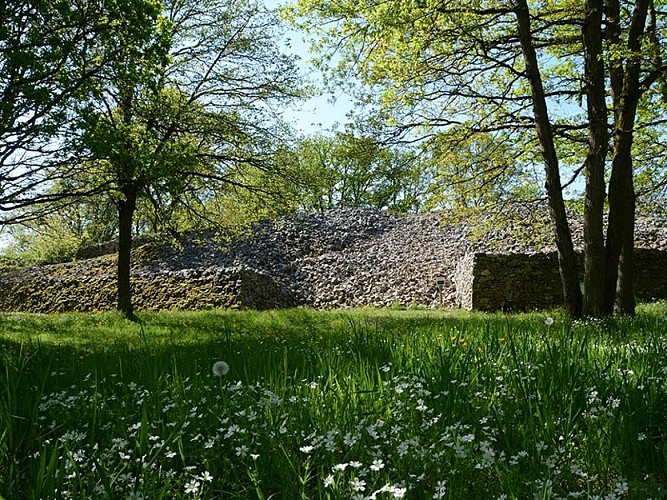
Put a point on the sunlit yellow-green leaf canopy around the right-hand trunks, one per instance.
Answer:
(453, 69)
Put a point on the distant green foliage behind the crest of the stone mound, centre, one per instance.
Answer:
(353, 168)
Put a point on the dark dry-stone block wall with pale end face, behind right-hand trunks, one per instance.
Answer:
(522, 282)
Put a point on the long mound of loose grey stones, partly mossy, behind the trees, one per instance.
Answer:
(342, 258)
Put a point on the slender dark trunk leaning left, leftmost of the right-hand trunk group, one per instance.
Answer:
(566, 257)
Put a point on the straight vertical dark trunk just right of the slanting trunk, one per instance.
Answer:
(598, 139)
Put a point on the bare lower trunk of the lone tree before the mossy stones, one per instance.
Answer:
(126, 208)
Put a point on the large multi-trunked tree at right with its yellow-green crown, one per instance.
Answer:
(497, 66)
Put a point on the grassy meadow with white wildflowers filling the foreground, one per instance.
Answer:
(311, 405)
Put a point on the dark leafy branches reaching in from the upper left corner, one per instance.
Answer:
(50, 54)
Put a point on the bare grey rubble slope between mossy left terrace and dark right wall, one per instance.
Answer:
(344, 258)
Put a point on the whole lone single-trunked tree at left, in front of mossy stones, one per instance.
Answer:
(177, 113)
